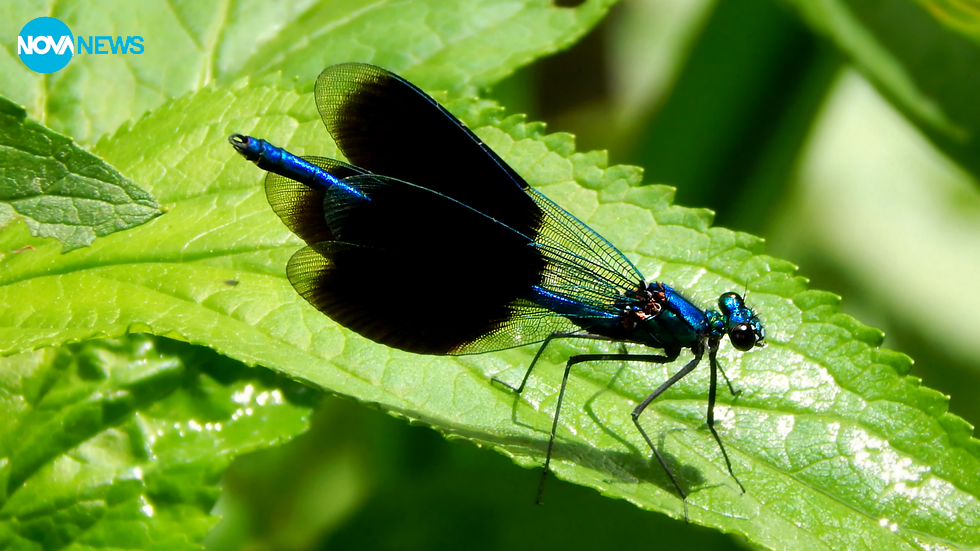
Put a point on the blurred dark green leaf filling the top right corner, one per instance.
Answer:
(921, 55)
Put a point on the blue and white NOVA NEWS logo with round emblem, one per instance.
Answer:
(46, 45)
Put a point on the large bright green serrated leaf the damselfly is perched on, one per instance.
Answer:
(836, 446)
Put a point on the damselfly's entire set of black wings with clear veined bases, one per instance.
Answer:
(451, 252)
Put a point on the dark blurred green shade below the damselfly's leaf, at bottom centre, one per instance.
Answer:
(357, 469)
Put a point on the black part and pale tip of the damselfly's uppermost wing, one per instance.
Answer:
(386, 125)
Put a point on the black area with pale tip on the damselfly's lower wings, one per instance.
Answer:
(413, 269)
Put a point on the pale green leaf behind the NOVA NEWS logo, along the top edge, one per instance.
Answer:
(191, 44)
